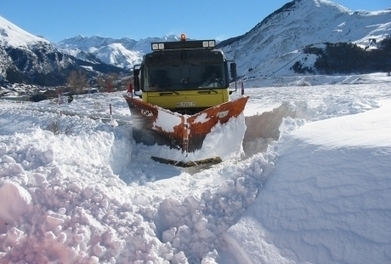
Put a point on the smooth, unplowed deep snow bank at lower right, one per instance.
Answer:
(327, 201)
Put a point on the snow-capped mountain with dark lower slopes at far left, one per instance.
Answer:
(31, 59)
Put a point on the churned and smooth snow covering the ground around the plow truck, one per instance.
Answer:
(312, 184)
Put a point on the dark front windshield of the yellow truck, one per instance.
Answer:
(185, 70)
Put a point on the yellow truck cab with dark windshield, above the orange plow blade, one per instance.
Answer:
(184, 76)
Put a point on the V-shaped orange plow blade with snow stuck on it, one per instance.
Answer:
(156, 125)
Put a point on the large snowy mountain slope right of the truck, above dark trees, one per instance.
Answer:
(281, 39)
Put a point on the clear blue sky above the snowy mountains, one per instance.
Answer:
(218, 19)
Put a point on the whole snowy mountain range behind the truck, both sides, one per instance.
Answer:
(302, 37)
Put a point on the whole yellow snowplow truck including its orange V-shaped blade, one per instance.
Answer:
(181, 91)
